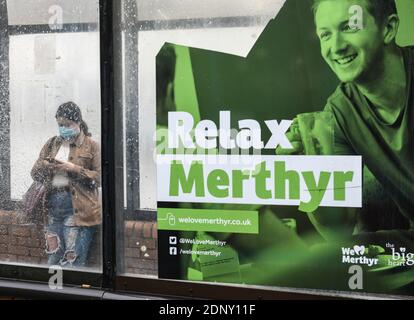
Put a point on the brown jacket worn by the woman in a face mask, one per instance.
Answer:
(84, 182)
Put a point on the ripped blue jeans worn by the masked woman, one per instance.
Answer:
(66, 244)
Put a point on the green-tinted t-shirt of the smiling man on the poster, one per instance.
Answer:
(387, 149)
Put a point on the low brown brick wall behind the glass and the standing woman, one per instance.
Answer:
(25, 243)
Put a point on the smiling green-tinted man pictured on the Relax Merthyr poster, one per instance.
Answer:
(372, 108)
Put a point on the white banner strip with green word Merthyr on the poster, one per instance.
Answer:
(304, 181)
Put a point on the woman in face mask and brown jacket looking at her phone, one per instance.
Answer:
(69, 166)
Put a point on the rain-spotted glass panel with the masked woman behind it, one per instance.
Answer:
(50, 206)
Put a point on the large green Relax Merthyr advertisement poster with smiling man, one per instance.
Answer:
(292, 166)
